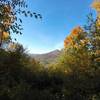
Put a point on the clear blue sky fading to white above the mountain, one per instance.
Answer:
(59, 17)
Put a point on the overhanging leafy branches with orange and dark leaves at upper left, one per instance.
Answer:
(9, 20)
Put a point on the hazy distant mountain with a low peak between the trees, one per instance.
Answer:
(47, 57)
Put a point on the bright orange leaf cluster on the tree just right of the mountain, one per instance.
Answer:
(70, 40)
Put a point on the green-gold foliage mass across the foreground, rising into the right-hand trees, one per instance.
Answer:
(75, 76)
